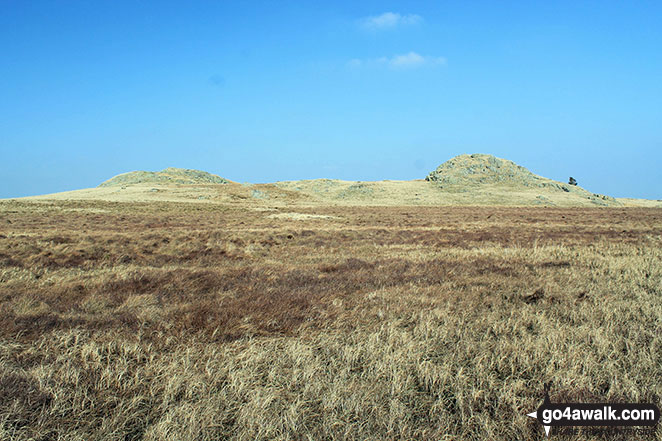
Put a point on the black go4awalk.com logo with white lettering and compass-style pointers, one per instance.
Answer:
(616, 415)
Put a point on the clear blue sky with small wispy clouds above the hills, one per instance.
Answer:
(266, 91)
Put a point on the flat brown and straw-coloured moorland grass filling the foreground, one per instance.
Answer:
(200, 321)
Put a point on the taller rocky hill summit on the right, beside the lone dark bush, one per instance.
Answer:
(480, 168)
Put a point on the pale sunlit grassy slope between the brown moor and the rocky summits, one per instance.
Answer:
(291, 194)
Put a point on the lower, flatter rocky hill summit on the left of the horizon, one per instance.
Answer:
(170, 175)
